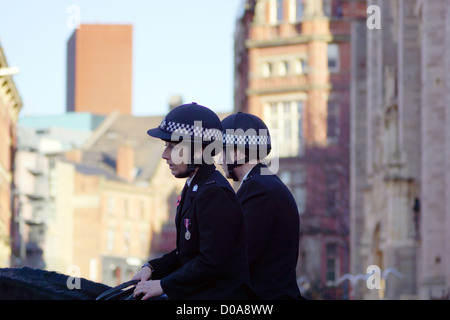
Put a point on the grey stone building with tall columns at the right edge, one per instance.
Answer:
(400, 138)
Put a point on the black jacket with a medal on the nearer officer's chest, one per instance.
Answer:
(210, 262)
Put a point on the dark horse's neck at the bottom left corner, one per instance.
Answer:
(36, 284)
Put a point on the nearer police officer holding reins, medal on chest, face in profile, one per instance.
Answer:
(209, 261)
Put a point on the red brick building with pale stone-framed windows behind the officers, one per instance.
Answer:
(292, 68)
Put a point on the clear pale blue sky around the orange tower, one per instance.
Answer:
(179, 47)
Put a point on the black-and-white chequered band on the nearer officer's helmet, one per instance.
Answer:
(191, 130)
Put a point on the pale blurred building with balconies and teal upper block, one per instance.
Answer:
(41, 142)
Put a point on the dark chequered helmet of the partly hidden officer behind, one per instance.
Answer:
(247, 131)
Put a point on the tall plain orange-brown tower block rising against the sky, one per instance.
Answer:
(99, 69)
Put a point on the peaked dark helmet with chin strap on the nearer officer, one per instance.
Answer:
(189, 122)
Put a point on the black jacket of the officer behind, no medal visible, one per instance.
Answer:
(272, 222)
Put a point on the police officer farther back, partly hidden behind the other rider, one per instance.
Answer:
(271, 214)
